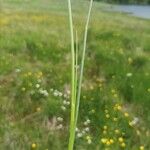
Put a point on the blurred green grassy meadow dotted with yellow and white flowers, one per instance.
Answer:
(35, 77)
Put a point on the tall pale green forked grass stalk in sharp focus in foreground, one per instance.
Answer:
(75, 86)
